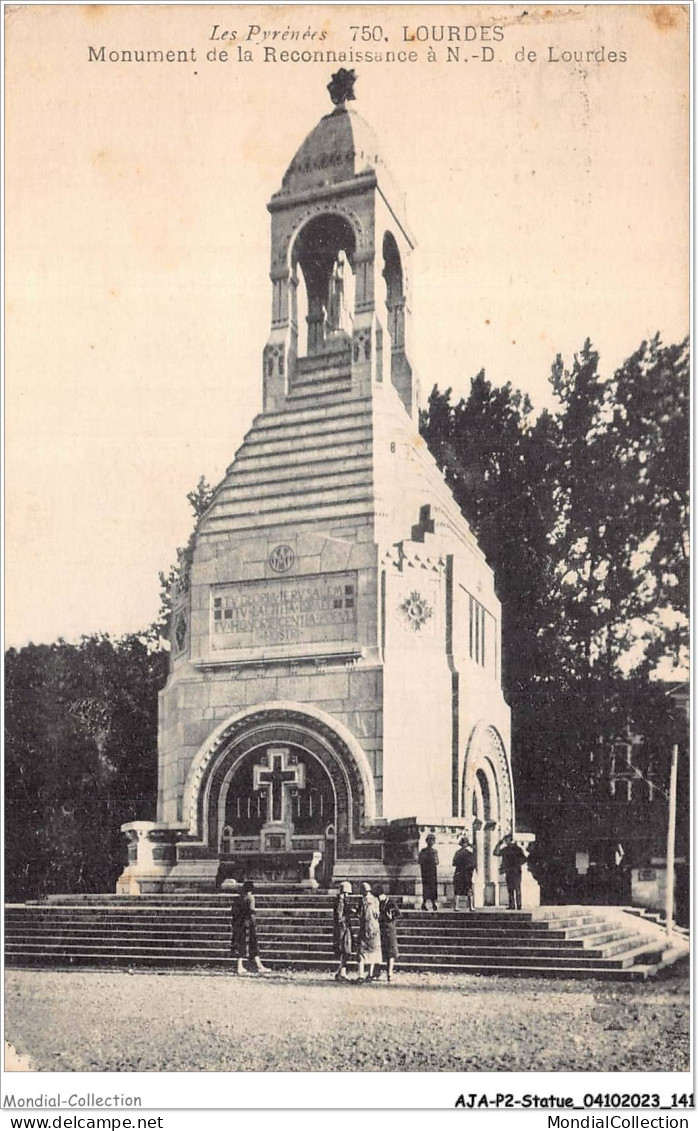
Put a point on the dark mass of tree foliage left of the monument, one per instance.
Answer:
(81, 761)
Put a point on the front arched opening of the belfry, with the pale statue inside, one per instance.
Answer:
(325, 252)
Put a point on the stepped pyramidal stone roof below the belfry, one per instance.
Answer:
(325, 464)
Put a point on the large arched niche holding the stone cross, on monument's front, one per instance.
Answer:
(278, 793)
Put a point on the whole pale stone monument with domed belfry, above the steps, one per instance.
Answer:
(334, 692)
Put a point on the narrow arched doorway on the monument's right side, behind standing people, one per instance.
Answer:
(488, 798)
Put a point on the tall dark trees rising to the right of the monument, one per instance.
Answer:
(583, 516)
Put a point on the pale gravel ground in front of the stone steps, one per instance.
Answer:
(85, 1021)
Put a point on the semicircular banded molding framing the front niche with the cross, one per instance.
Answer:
(280, 722)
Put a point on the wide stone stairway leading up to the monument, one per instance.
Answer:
(296, 931)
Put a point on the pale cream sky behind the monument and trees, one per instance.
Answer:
(549, 200)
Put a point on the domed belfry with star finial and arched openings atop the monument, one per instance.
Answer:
(340, 255)
